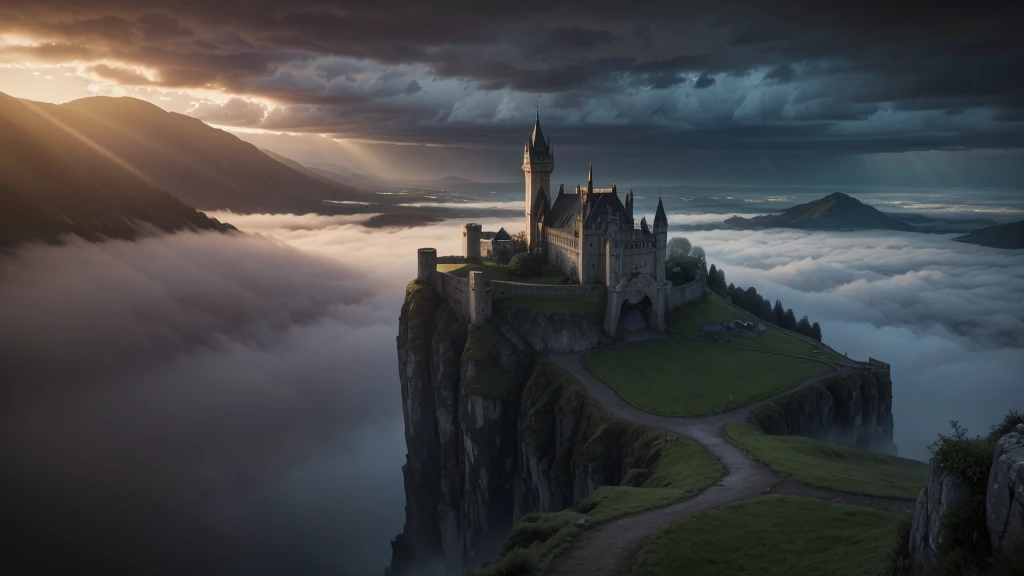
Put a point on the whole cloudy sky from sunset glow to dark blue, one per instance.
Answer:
(865, 93)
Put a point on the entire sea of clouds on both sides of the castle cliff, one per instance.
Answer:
(250, 382)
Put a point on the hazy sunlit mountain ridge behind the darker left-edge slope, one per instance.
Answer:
(205, 168)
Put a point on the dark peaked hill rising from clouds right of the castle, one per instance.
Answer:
(836, 212)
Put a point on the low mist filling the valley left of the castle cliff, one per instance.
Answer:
(238, 393)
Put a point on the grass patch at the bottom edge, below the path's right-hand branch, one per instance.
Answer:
(773, 537)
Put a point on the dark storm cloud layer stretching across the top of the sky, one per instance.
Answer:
(862, 76)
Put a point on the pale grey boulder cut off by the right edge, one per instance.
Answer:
(1005, 495)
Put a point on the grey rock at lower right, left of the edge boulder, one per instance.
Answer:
(944, 493)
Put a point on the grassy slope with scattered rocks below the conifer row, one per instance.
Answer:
(689, 318)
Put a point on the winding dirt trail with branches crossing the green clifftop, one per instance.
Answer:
(607, 549)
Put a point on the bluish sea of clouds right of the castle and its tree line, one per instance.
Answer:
(949, 317)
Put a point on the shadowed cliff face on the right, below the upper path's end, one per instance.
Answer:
(852, 409)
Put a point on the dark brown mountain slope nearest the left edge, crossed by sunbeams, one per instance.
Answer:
(56, 182)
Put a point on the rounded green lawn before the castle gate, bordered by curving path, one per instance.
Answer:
(661, 377)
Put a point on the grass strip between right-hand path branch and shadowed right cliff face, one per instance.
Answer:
(829, 466)
